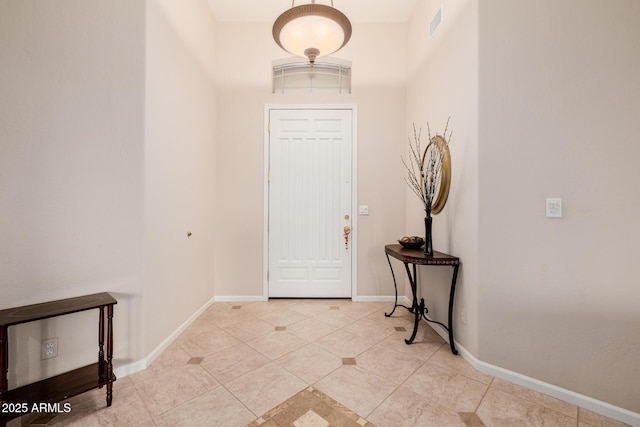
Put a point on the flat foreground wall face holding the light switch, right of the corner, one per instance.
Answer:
(559, 116)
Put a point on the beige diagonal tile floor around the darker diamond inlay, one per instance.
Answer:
(238, 361)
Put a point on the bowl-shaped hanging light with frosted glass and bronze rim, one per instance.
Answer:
(312, 30)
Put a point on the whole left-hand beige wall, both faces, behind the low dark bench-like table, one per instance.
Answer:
(107, 117)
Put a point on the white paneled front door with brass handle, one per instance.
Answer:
(309, 197)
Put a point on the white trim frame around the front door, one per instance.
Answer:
(354, 188)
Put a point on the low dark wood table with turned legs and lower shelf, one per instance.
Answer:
(19, 401)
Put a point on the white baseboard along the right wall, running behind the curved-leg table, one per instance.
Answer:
(577, 399)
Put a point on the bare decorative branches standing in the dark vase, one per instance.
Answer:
(424, 170)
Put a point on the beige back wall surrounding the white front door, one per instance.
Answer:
(245, 88)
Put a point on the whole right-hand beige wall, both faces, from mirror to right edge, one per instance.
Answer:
(544, 102)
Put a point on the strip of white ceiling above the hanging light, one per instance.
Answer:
(358, 11)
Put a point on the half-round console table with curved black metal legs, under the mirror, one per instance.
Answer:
(417, 257)
